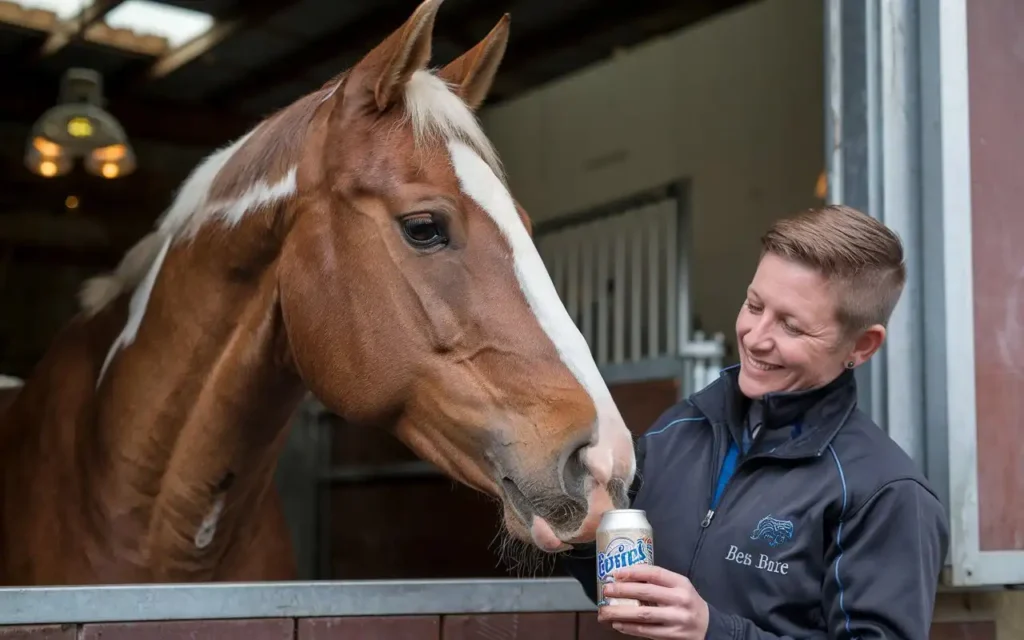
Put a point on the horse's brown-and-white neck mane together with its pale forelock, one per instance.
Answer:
(261, 167)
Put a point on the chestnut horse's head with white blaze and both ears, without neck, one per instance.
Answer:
(414, 296)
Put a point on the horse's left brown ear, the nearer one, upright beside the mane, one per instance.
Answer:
(390, 66)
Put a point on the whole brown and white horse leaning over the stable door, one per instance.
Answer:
(361, 245)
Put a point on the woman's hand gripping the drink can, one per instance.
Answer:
(671, 607)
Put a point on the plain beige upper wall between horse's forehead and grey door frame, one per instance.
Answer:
(735, 105)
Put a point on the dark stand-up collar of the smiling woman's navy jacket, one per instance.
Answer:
(815, 416)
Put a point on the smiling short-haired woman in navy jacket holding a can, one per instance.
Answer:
(780, 509)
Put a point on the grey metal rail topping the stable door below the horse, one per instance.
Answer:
(307, 600)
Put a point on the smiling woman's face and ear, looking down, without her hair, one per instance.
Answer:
(788, 333)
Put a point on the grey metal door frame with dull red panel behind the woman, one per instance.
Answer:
(925, 103)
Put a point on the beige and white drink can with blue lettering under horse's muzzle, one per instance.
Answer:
(625, 538)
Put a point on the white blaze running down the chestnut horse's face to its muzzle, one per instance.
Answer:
(614, 452)
